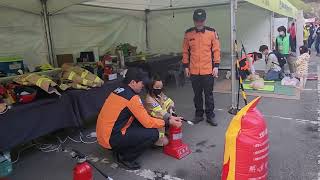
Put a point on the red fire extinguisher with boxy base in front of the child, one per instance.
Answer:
(176, 148)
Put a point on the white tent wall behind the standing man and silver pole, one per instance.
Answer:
(167, 27)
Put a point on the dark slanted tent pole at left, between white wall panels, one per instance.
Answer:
(47, 31)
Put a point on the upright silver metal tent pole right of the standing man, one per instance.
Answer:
(233, 37)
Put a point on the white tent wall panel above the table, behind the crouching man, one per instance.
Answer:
(84, 28)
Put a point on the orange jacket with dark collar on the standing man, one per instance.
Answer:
(201, 50)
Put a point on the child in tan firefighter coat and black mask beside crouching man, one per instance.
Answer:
(159, 106)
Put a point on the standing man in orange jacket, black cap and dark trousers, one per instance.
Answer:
(201, 59)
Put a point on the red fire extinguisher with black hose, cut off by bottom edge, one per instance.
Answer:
(83, 169)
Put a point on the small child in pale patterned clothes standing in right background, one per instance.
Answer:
(302, 65)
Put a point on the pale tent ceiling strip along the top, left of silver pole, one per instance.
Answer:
(34, 6)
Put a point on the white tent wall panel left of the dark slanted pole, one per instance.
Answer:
(22, 36)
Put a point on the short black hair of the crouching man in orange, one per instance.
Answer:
(137, 75)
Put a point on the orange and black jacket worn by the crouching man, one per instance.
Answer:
(119, 110)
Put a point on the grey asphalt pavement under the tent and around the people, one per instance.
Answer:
(294, 144)
